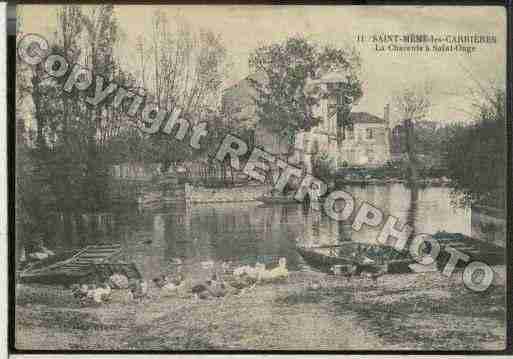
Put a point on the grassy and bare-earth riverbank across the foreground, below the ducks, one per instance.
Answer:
(310, 311)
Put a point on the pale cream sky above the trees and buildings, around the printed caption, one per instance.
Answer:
(384, 73)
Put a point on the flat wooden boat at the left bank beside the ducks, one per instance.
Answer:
(97, 262)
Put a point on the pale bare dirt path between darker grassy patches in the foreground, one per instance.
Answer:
(262, 319)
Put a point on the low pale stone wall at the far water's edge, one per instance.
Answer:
(196, 194)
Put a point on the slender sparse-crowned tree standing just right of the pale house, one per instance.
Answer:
(412, 104)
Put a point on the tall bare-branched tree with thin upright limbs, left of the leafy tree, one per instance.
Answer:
(180, 68)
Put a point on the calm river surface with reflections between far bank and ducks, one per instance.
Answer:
(247, 232)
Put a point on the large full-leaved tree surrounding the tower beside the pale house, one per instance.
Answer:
(285, 100)
